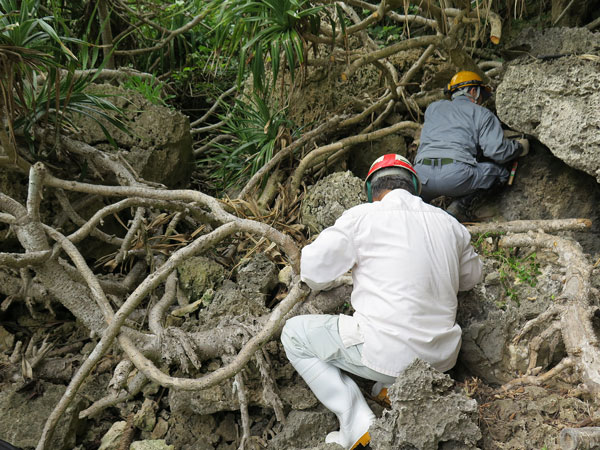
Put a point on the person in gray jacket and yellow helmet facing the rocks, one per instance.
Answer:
(462, 148)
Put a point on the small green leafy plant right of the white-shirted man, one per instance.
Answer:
(513, 270)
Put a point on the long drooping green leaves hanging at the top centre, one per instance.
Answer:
(258, 31)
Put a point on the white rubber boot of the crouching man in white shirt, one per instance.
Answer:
(340, 394)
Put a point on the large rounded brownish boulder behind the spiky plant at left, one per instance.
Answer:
(159, 147)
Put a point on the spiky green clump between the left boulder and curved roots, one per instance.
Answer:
(256, 130)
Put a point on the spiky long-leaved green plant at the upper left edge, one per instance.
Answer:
(37, 73)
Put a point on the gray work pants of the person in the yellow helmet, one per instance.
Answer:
(458, 179)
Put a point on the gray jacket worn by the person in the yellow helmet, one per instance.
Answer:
(458, 128)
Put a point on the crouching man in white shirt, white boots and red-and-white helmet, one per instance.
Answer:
(408, 259)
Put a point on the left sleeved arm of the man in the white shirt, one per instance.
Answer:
(331, 255)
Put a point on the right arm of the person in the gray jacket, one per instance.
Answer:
(492, 141)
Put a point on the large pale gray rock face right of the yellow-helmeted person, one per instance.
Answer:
(557, 100)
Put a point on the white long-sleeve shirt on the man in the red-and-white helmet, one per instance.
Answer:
(409, 260)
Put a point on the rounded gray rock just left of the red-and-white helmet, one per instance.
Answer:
(329, 198)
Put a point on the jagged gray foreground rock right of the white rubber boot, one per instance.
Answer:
(426, 413)
